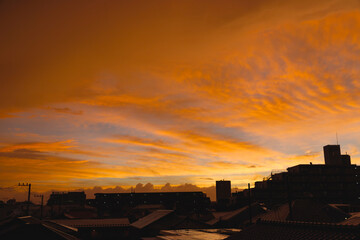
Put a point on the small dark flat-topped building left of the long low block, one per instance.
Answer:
(67, 198)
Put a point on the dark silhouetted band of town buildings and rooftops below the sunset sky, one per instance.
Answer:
(306, 201)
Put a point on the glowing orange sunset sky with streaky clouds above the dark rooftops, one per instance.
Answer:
(115, 93)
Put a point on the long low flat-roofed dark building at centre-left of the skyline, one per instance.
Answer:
(116, 204)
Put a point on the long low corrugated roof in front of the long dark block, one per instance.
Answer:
(79, 223)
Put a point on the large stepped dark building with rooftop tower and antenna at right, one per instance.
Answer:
(336, 181)
